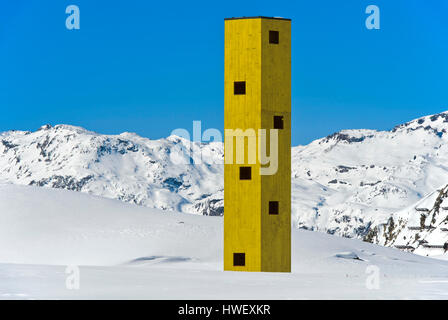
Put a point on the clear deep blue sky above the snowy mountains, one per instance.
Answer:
(153, 66)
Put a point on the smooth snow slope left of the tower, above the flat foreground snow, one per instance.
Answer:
(47, 226)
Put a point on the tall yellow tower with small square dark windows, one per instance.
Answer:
(257, 95)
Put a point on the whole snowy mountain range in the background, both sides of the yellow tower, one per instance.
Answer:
(346, 183)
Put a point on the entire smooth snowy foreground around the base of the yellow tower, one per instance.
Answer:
(132, 252)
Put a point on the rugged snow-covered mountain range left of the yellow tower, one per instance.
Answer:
(125, 167)
